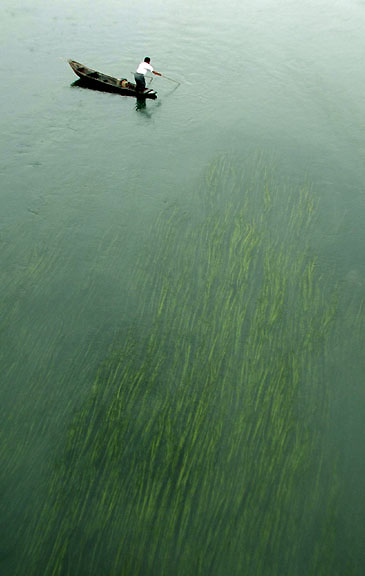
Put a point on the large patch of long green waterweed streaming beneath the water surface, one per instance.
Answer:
(201, 447)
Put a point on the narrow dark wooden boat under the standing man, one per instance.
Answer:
(95, 79)
